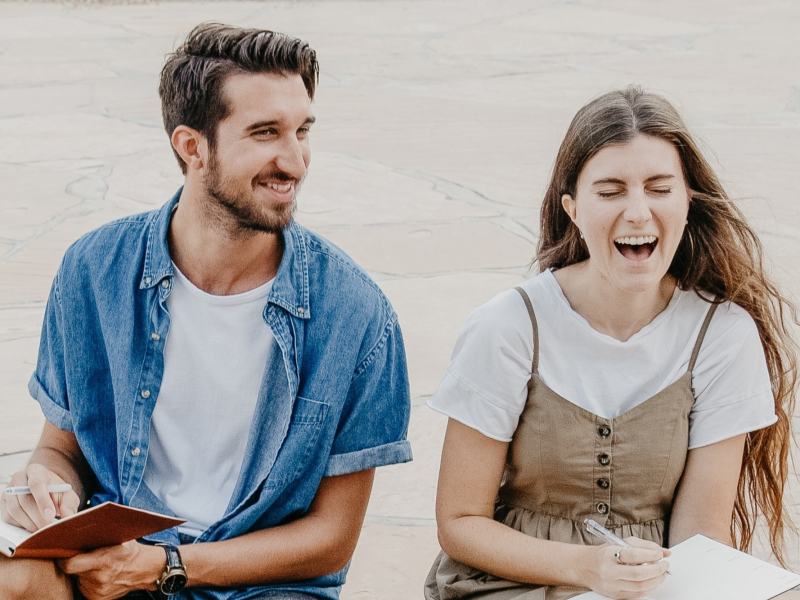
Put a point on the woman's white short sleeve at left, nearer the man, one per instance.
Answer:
(485, 386)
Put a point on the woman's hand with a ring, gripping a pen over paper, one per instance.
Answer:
(640, 569)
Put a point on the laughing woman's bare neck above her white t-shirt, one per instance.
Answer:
(609, 310)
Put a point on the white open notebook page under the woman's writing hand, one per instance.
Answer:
(701, 568)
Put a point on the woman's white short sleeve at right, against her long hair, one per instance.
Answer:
(733, 390)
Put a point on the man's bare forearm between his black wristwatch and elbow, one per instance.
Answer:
(306, 548)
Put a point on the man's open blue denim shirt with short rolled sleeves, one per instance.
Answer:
(333, 400)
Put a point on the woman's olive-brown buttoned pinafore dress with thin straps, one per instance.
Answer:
(566, 463)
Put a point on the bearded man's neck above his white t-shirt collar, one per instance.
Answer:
(216, 255)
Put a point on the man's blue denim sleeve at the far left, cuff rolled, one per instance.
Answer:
(48, 384)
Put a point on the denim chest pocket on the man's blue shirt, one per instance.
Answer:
(300, 446)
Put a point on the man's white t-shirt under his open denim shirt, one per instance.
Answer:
(215, 356)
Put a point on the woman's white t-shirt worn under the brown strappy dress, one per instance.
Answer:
(485, 386)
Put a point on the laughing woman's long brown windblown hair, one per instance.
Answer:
(719, 256)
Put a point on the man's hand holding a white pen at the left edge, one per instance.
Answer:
(39, 508)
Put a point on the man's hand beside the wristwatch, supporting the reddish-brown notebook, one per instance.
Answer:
(112, 572)
